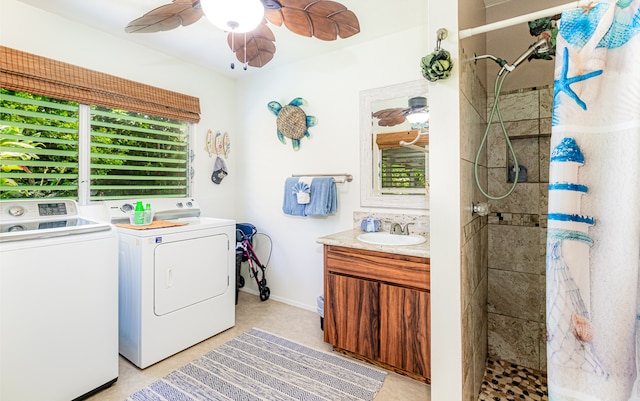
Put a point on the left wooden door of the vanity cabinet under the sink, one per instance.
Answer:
(351, 318)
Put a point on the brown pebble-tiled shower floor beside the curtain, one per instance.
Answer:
(505, 381)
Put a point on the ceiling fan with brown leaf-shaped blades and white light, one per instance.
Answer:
(254, 45)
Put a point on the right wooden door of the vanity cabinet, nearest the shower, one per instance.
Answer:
(404, 329)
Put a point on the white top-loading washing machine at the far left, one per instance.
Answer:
(58, 302)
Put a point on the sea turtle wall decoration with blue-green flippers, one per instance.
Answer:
(292, 122)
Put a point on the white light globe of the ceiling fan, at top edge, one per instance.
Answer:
(235, 15)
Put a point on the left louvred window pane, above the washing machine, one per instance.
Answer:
(38, 146)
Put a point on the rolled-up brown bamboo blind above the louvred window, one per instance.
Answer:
(21, 71)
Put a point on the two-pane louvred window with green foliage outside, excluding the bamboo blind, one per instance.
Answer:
(128, 154)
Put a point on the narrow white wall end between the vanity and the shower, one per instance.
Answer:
(444, 167)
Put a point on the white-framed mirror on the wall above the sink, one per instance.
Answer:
(393, 175)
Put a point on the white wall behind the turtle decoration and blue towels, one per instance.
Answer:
(331, 84)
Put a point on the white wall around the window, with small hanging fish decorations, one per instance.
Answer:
(31, 30)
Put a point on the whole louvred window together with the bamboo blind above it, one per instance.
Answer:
(67, 131)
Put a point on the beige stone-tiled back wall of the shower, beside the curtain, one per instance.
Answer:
(517, 229)
